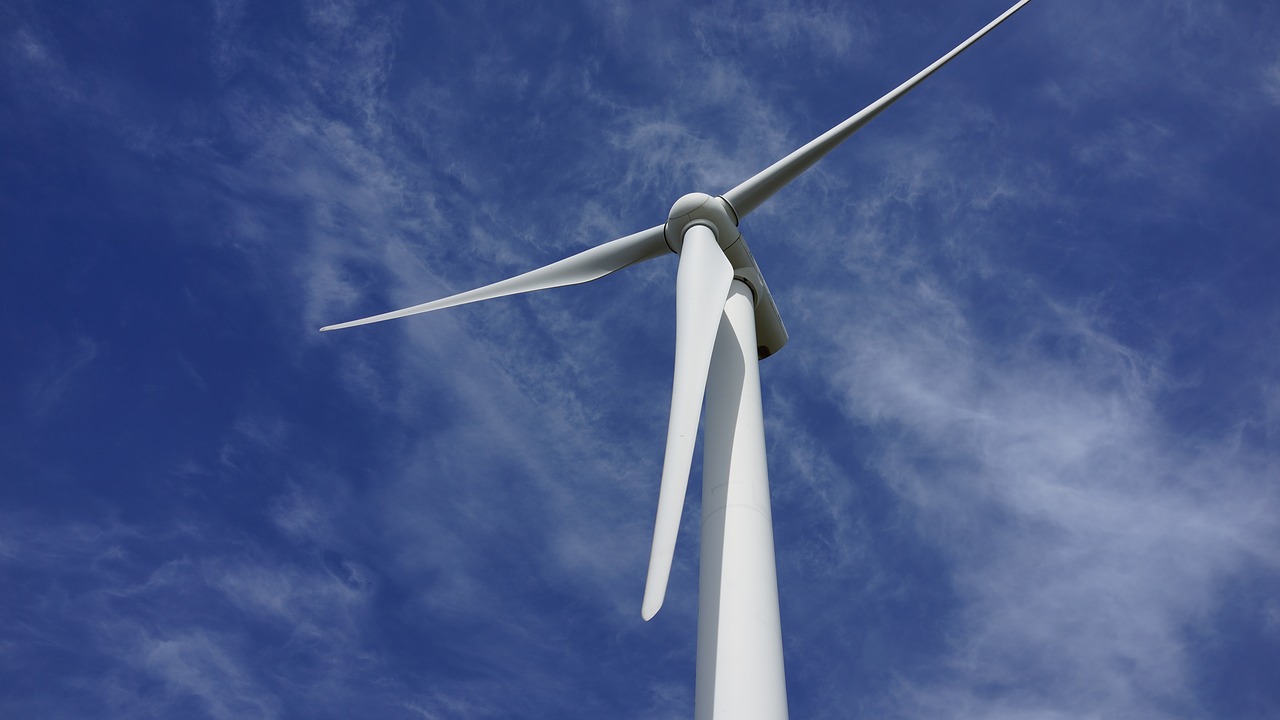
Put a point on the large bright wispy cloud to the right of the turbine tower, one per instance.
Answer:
(1081, 536)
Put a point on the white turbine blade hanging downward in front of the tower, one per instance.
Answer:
(702, 286)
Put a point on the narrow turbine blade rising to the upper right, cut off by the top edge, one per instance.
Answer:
(752, 194)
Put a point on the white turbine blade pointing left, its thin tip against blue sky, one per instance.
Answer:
(586, 267)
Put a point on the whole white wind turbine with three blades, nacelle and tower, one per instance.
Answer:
(726, 322)
